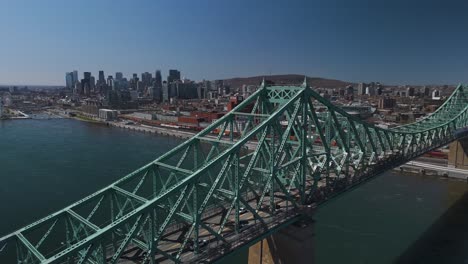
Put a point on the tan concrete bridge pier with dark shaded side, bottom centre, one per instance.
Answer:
(291, 245)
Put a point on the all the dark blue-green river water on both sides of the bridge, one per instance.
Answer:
(47, 164)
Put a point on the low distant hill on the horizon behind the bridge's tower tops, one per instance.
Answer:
(286, 79)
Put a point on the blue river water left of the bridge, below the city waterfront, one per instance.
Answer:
(46, 165)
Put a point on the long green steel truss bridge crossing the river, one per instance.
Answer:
(265, 164)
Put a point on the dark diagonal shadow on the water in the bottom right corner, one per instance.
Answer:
(446, 241)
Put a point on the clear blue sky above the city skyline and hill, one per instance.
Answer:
(389, 41)
